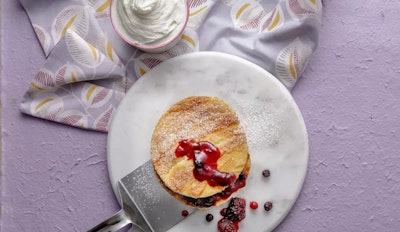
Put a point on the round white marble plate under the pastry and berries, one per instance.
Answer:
(275, 129)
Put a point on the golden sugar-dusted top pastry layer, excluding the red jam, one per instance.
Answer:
(198, 118)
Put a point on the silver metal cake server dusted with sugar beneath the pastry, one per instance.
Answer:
(145, 204)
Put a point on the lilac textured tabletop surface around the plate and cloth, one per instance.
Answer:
(54, 177)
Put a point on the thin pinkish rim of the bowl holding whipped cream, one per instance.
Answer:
(143, 46)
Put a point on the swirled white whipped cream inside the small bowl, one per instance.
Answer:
(150, 22)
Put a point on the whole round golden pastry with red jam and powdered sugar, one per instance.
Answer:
(199, 150)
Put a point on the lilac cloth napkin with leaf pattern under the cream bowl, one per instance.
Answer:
(89, 68)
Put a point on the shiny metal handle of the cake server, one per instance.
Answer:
(114, 223)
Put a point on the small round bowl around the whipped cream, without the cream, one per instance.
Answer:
(151, 48)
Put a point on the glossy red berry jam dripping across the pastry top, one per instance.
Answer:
(205, 156)
